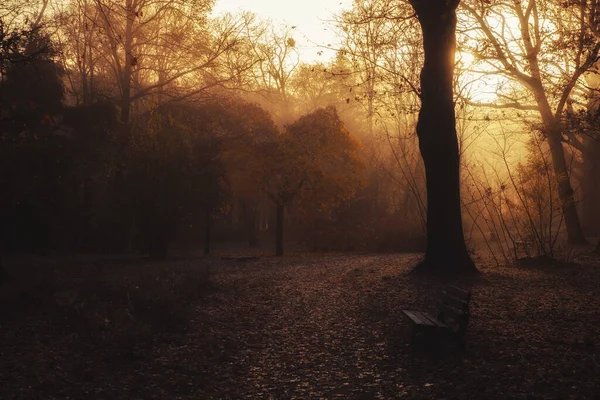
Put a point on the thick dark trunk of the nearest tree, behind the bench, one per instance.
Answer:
(446, 250)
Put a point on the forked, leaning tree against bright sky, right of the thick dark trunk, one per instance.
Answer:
(545, 48)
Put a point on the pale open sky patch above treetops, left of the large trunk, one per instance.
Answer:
(310, 17)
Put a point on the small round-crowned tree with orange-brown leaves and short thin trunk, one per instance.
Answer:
(314, 161)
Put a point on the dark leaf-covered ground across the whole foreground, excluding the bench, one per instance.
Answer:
(303, 326)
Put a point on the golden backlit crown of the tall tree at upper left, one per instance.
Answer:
(149, 48)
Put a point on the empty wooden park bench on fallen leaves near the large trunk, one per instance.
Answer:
(451, 321)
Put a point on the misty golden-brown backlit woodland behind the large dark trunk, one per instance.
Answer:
(138, 125)
